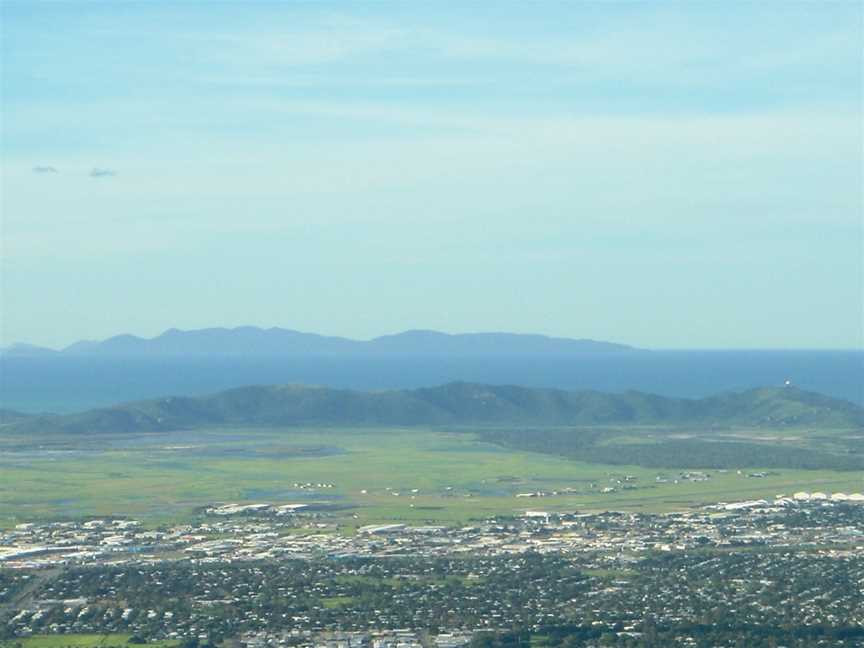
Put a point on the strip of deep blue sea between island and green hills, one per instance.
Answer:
(66, 384)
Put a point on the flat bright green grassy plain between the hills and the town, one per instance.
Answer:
(440, 476)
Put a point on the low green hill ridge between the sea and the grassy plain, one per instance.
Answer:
(451, 404)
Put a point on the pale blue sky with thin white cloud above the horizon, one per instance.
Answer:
(667, 175)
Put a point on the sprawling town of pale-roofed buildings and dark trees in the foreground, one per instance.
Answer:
(273, 575)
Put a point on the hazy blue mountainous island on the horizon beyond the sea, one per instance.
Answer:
(252, 341)
